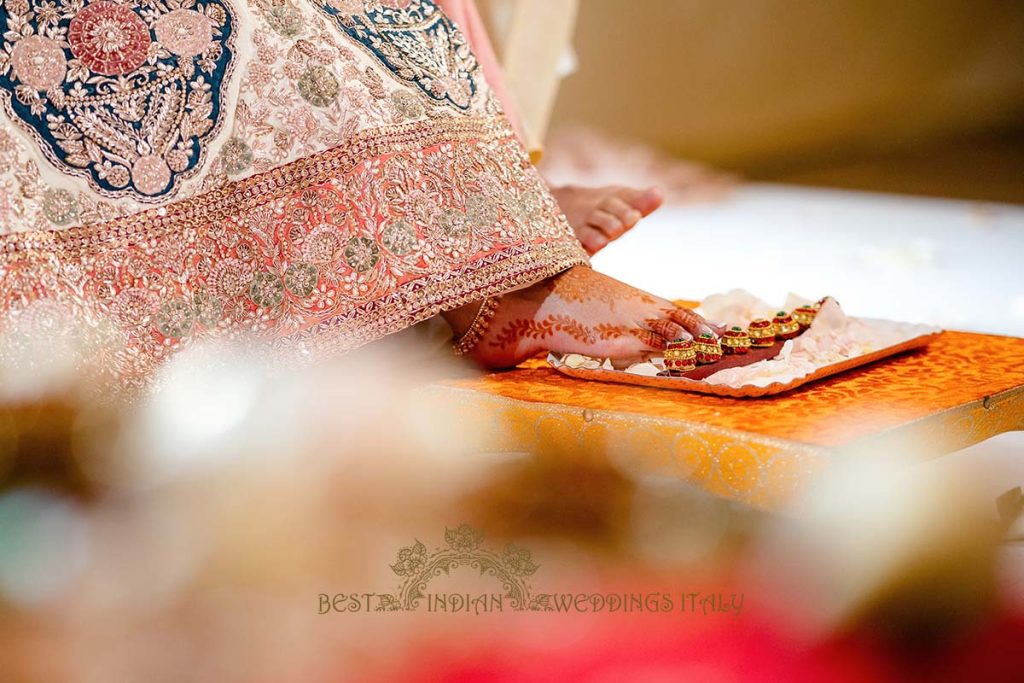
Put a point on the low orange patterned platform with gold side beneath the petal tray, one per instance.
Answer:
(964, 389)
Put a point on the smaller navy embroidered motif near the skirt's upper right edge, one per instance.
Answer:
(416, 41)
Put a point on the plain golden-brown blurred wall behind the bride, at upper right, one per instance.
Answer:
(925, 97)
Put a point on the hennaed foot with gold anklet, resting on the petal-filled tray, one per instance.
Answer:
(579, 312)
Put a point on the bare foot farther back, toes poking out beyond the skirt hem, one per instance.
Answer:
(601, 216)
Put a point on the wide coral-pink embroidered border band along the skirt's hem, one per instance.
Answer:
(317, 258)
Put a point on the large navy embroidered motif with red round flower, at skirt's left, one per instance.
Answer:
(127, 97)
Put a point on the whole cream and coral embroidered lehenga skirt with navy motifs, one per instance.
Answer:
(312, 175)
